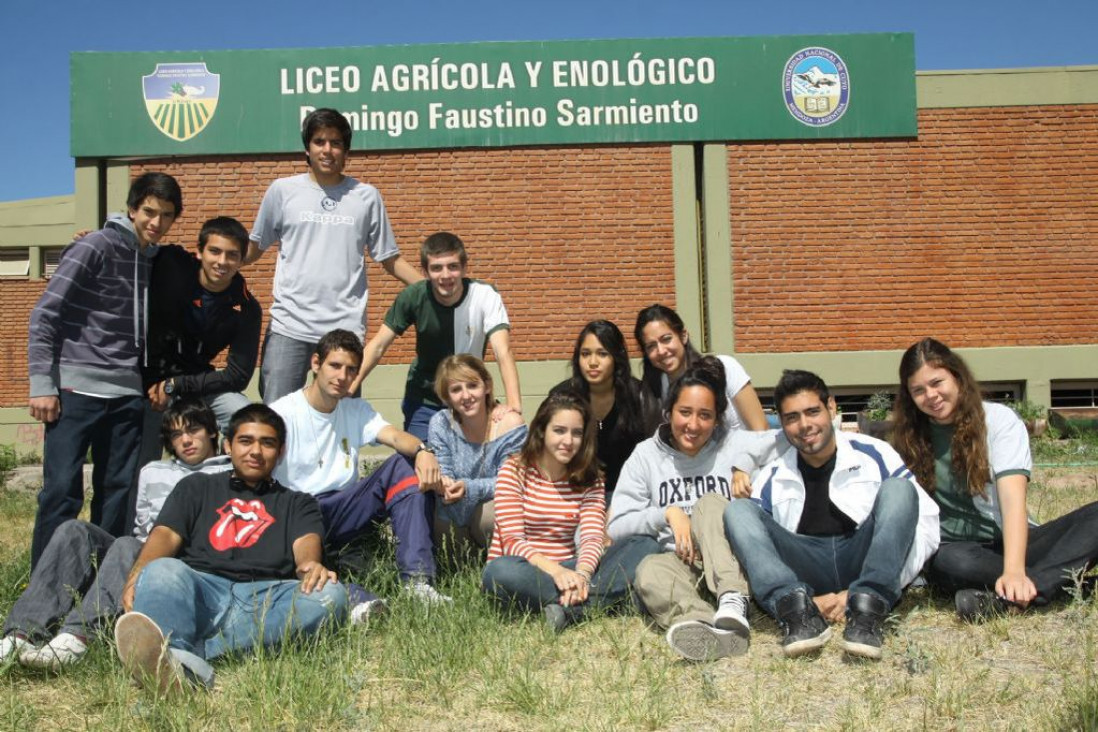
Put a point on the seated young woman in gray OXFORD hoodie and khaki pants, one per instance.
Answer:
(675, 490)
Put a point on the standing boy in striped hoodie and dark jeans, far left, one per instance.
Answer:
(87, 337)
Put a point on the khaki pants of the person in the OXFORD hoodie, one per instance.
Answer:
(671, 590)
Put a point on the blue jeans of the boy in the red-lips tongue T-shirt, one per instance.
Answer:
(207, 616)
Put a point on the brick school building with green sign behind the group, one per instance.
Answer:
(804, 202)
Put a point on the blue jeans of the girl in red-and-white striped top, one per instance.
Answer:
(517, 583)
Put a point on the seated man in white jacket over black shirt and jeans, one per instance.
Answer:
(837, 526)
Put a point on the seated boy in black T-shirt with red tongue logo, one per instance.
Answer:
(233, 562)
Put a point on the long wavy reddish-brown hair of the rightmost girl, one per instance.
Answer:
(912, 433)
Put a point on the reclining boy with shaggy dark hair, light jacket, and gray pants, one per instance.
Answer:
(82, 559)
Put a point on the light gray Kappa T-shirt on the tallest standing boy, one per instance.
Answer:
(320, 278)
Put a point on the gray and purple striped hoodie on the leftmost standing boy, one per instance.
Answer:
(88, 329)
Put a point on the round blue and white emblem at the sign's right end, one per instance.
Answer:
(817, 86)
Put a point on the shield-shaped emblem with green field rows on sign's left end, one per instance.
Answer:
(182, 98)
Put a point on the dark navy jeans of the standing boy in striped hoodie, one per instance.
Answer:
(111, 429)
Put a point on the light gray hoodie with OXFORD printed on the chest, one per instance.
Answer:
(657, 476)
